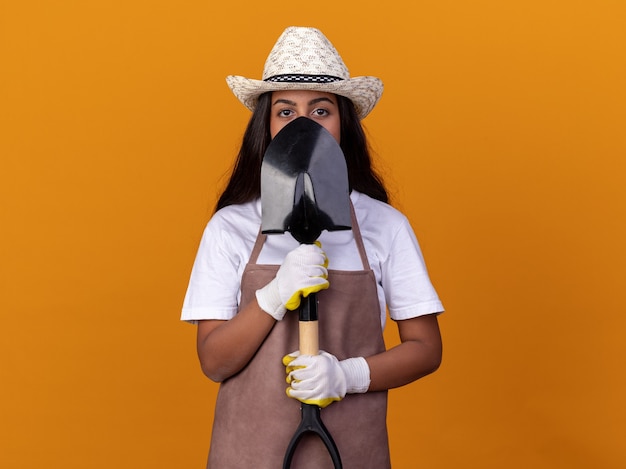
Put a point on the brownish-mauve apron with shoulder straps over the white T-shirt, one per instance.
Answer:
(255, 420)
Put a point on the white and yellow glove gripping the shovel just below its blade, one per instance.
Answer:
(302, 272)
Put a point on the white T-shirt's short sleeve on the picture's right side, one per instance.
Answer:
(408, 290)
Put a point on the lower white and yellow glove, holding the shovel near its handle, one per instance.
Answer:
(322, 379)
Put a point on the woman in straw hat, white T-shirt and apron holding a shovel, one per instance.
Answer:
(244, 285)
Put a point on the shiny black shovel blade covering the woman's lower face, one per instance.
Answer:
(304, 183)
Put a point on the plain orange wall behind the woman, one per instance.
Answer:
(500, 132)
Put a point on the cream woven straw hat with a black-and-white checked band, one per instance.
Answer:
(304, 59)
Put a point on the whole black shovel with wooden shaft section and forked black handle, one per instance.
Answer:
(304, 191)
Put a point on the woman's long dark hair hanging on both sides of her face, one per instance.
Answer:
(244, 184)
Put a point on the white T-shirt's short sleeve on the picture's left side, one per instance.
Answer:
(214, 283)
